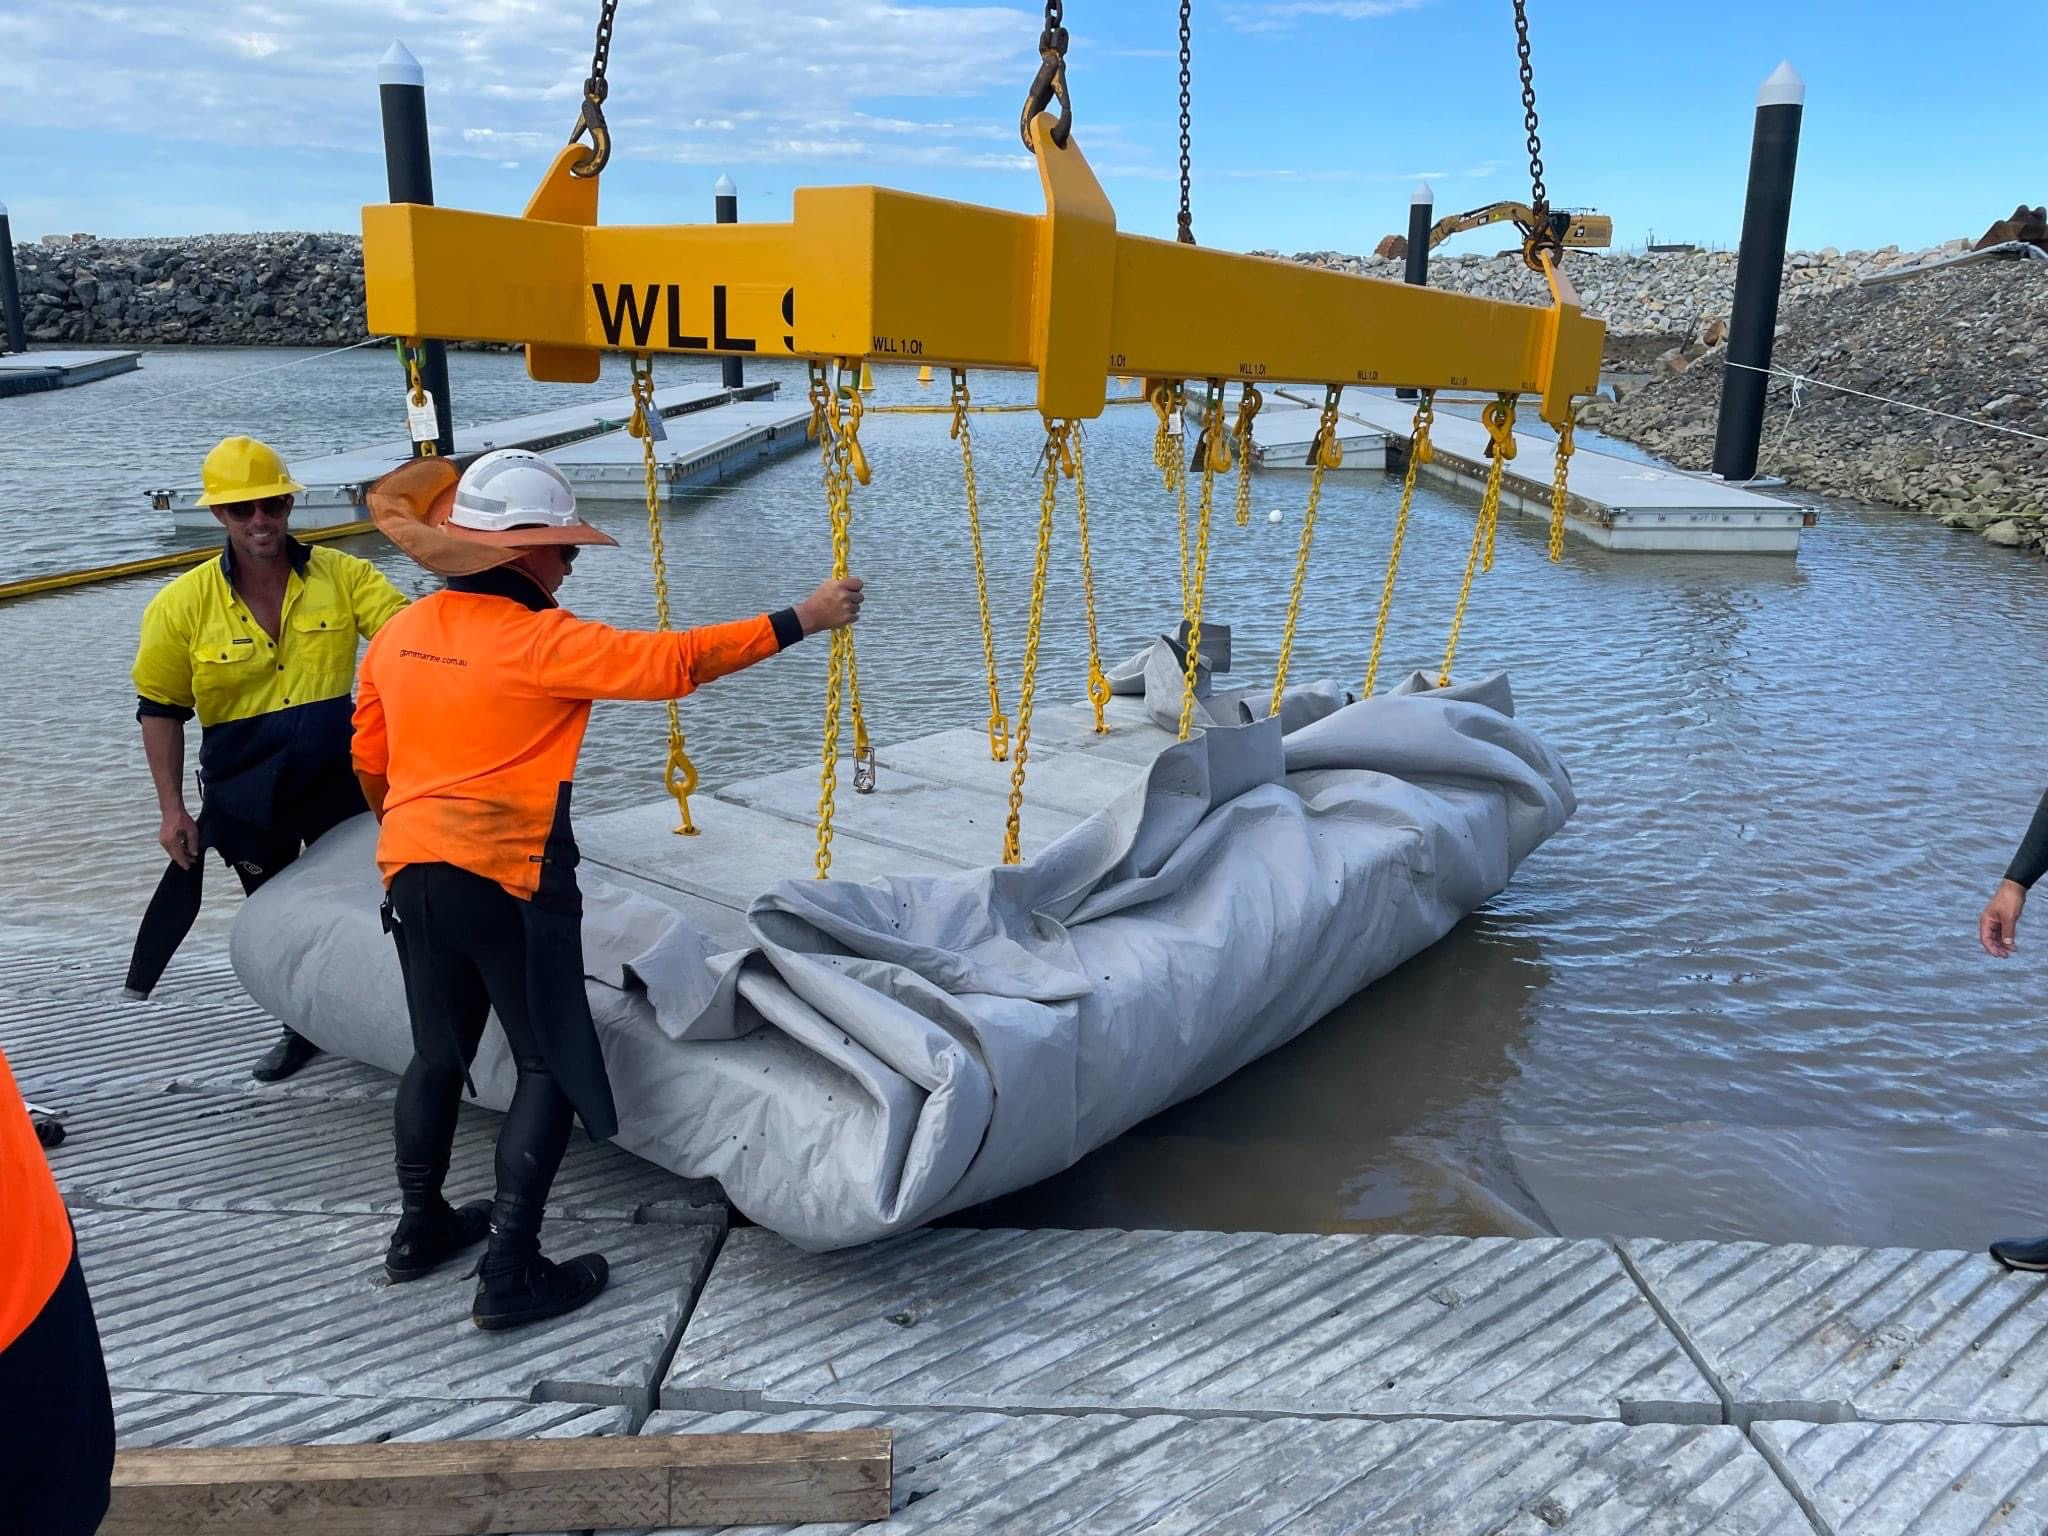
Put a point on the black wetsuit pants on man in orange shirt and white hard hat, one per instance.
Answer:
(464, 951)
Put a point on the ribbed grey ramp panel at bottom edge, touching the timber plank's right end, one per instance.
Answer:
(1062, 1476)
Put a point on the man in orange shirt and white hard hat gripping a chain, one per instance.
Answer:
(470, 718)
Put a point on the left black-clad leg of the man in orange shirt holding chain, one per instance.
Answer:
(450, 1009)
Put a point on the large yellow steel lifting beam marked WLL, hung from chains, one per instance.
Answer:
(894, 278)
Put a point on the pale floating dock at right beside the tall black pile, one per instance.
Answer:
(1615, 503)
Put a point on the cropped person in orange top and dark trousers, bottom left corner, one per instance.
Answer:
(56, 1414)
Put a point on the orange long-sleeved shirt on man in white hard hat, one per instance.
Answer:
(472, 708)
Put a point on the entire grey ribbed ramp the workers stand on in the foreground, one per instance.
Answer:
(1035, 1379)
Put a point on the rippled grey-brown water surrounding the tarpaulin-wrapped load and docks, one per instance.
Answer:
(1738, 996)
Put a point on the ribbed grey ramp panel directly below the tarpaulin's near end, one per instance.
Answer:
(1187, 1324)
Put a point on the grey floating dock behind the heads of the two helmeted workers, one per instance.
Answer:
(335, 484)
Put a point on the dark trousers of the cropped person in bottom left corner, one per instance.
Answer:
(56, 1420)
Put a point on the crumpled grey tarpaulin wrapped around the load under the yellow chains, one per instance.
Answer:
(892, 1052)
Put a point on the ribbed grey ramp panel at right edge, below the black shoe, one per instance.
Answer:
(1834, 1334)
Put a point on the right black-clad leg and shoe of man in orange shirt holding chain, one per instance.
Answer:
(517, 1285)
